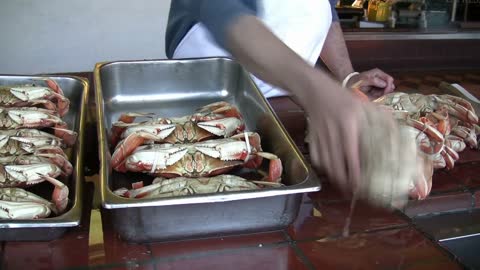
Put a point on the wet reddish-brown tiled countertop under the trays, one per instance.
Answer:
(379, 239)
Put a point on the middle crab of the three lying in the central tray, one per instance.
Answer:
(202, 159)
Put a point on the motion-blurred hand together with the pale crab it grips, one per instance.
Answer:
(358, 146)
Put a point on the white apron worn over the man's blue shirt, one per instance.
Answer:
(302, 25)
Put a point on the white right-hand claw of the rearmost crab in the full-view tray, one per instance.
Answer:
(224, 127)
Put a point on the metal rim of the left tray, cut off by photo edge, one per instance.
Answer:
(72, 217)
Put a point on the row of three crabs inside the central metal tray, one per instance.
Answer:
(190, 154)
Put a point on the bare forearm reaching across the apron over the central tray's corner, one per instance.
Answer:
(263, 54)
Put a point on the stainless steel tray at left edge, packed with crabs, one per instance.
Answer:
(76, 89)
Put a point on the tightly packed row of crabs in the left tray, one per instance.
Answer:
(33, 137)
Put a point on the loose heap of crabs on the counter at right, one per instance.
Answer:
(442, 125)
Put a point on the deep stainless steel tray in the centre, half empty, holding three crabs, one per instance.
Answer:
(175, 88)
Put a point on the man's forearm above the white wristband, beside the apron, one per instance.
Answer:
(335, 53)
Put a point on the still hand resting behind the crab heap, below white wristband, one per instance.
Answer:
(374, 83)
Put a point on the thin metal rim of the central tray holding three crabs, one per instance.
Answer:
(111, 201)
